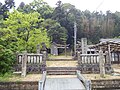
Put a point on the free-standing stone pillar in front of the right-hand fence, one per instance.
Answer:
(101, 63)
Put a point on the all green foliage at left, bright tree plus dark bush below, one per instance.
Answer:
(19, 32)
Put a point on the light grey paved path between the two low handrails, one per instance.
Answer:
(72, 83)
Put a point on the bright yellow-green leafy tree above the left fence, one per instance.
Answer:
(22, 32)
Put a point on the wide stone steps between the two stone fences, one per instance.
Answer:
(61, 66)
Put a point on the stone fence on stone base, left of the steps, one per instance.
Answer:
(30, 63)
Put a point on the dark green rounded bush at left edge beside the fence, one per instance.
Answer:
(7, 58)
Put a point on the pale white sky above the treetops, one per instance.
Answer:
(91, 5)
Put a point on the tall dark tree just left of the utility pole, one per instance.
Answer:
(65, 15)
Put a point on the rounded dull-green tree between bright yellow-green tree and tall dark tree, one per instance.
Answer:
(57, 33)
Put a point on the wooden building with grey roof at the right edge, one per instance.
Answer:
(113, 48)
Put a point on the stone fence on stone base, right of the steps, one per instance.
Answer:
(90, 63)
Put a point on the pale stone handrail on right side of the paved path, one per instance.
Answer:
(86, 83)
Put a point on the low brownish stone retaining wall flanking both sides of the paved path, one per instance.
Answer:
(111, 84)
